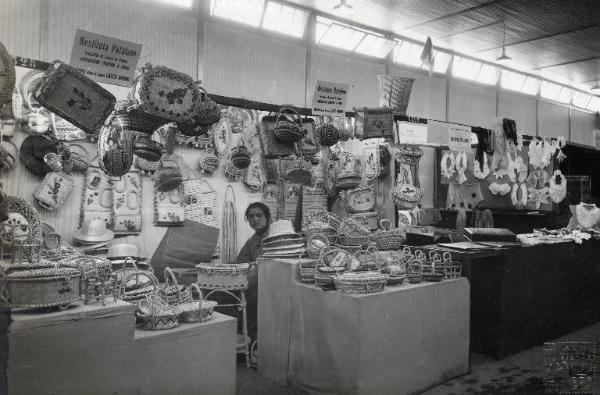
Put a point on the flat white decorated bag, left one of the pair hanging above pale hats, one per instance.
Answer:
(96, 197)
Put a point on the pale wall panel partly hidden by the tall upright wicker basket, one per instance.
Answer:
(428, 96)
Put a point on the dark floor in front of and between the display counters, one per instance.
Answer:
(521, 373)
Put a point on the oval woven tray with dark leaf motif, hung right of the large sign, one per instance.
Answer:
(166, 94)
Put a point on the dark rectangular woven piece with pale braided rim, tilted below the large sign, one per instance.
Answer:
(76, 98)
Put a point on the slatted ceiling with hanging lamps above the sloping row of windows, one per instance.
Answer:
(555, 38)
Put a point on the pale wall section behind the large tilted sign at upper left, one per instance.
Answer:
(168, 38)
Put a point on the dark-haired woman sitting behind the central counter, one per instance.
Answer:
(259, 219)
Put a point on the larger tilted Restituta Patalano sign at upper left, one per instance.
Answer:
(105, 59)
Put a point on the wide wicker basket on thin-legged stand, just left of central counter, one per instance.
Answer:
(230, 276)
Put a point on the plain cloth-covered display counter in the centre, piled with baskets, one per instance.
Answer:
(403, 340)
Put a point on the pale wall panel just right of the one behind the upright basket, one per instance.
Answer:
(471, 104)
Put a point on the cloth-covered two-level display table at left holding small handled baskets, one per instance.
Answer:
(95, 349)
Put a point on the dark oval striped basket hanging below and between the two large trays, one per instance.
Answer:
(115, 146)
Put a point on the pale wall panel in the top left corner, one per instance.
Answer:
(20, 27)
